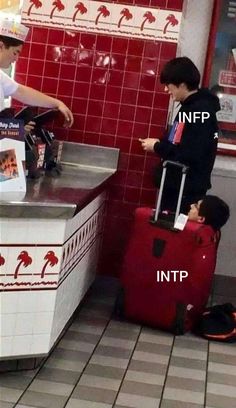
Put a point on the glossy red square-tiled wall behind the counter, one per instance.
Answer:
(112, 86)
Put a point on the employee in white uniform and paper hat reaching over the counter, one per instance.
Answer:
(12, 37)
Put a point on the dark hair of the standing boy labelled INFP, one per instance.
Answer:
(181, 70)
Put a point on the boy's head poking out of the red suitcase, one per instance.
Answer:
(211, 210)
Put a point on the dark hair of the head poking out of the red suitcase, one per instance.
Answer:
(215, 211)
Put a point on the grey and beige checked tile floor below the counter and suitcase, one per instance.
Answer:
(104, 363)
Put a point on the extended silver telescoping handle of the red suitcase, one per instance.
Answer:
(159, 197)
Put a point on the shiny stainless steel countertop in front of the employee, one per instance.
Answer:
(85, 170)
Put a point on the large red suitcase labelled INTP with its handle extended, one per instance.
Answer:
(167, 274)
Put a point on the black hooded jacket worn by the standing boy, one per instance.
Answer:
(198, 145)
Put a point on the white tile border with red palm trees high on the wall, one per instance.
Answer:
(106, 18)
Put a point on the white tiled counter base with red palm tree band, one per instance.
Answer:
(46, 267)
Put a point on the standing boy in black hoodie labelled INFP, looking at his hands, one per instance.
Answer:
(193, 137)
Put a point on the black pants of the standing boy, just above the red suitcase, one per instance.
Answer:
(170, 198)
